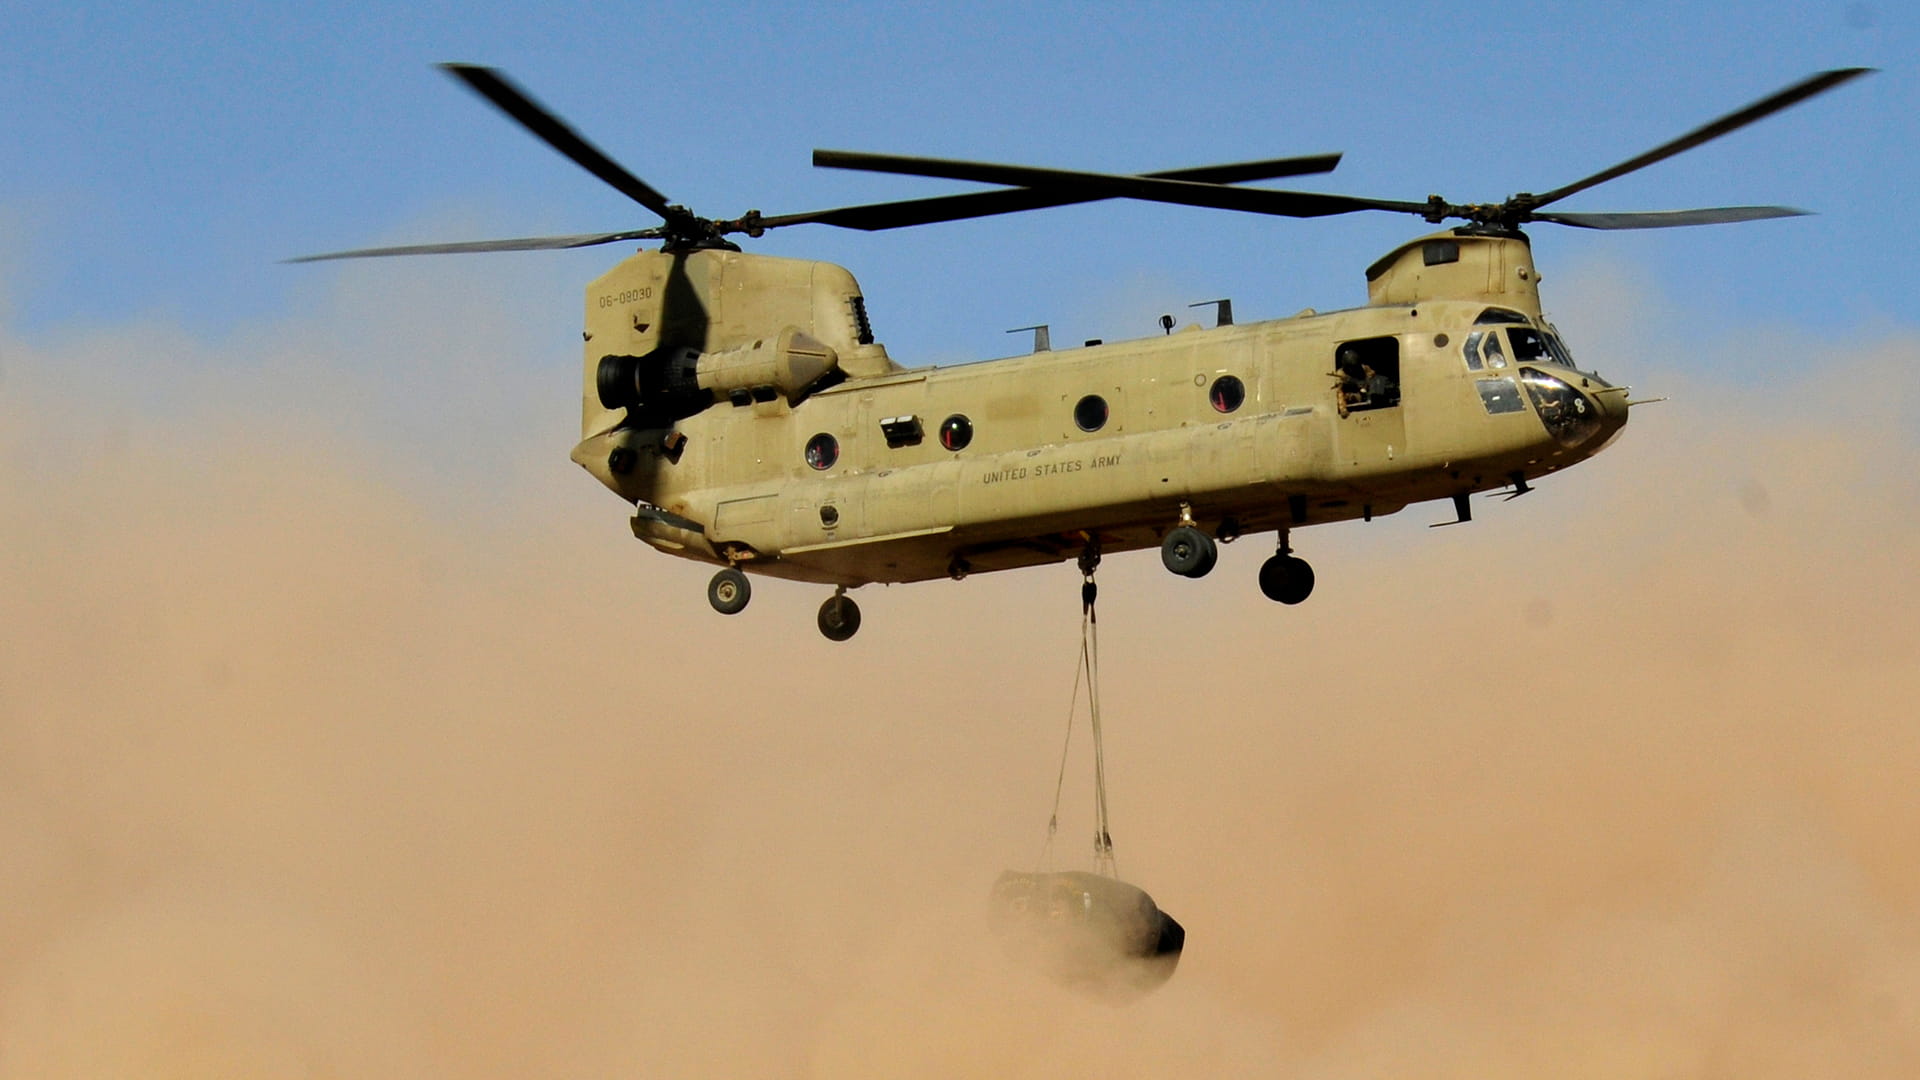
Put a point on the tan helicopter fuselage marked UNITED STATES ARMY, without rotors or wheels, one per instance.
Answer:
(1447, 383)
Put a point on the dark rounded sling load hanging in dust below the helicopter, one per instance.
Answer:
(1092, 933)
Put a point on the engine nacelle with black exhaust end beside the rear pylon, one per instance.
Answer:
(677, 381)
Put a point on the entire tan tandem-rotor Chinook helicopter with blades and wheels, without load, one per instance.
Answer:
(748, 412)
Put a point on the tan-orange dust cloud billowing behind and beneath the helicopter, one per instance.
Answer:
(308, 773)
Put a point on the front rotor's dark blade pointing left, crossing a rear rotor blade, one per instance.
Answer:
(1107, 185)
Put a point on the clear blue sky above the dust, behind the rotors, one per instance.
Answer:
(160, 159)
